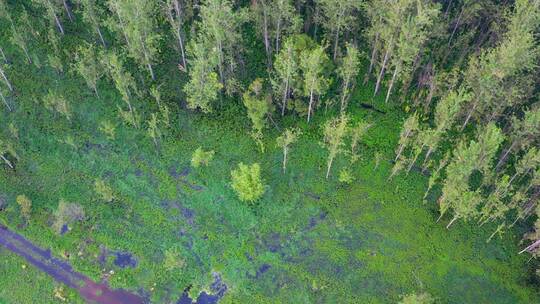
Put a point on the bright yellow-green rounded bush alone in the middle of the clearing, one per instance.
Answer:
(247, 182)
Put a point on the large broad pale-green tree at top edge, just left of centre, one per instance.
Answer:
(219, 27)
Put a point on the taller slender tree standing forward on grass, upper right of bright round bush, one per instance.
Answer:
(335, 131)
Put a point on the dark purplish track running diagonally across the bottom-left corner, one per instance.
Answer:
(63, 272)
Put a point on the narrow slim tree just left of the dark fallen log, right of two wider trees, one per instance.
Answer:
(348, 71)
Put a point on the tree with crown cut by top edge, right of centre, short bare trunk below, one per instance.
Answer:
(338, 17)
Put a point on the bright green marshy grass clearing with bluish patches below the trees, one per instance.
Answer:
(369, 242)
